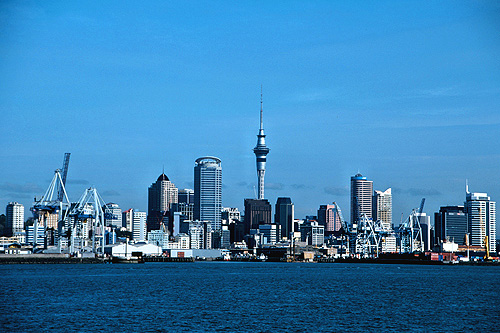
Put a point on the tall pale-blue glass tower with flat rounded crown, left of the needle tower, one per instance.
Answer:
(208, 190)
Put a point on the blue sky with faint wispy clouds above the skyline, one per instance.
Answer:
(407, 93)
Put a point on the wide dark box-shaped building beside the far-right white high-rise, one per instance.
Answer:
(450, 223)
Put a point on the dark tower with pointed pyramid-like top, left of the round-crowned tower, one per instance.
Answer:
(161, 195)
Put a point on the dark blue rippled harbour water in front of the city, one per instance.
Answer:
(249, 297)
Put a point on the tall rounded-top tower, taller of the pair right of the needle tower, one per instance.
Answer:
(361, 197)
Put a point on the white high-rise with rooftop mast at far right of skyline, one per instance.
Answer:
(481, 219)
